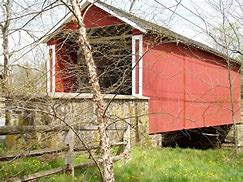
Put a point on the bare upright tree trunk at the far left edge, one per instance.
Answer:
(6, 53)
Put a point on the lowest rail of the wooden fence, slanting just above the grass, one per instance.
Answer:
(57, 170)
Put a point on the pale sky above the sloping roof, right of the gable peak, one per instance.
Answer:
(165, 13)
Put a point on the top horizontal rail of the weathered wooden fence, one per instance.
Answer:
(13, 130)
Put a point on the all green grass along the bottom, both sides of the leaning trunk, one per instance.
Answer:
(167, 164)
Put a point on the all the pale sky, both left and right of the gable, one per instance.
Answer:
(181, 19)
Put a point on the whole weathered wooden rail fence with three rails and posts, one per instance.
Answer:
(69, 148)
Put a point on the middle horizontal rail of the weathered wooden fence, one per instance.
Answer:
(7, 156)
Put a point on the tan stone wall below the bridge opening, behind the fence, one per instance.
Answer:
(74, 109)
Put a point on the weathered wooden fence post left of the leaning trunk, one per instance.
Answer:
(69, 142)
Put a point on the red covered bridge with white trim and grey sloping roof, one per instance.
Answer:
(187, 82)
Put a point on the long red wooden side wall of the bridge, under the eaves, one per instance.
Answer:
(188, 88)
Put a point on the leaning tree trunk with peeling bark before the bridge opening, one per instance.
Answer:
(84, 44)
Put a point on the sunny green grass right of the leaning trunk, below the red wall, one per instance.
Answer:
(182, 165)
